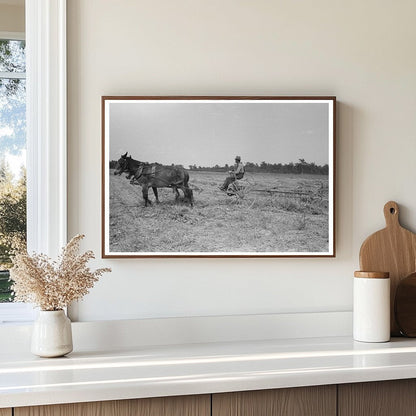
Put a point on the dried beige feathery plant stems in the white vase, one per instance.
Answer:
(53, 285)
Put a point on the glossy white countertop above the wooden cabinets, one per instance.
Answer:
(151, 371)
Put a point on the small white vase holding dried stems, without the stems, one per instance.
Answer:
(52, 334)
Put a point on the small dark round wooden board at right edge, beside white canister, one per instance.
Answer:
(405, 306)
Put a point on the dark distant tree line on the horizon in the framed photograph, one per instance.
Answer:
(300, 167)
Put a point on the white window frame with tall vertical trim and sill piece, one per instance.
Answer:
(46, 138)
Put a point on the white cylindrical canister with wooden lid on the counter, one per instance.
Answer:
(371, 310)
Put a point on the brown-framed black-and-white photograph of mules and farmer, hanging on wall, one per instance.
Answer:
(218, 176)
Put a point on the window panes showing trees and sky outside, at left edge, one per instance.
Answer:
(12, 154)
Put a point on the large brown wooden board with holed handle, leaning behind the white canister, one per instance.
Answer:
(393, 250)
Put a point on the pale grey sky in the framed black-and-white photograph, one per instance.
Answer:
(206, 134)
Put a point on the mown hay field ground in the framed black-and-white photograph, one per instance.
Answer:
(259, 222)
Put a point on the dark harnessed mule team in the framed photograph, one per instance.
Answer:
(154, 175)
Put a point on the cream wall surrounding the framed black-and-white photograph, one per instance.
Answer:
(361, 51)
